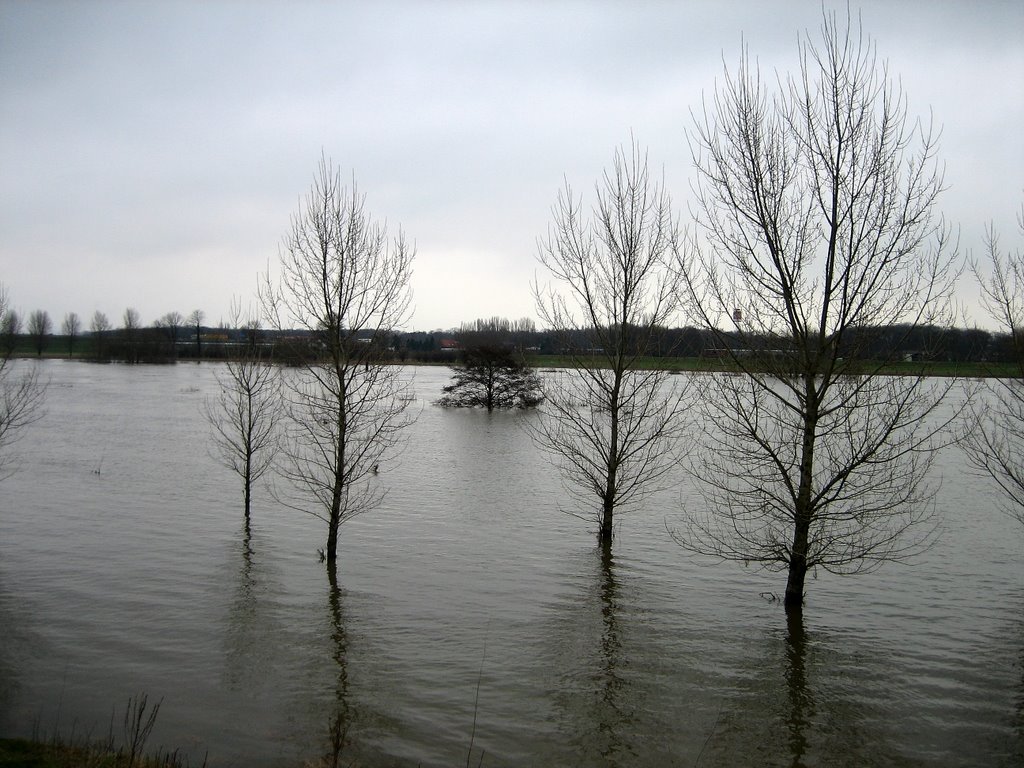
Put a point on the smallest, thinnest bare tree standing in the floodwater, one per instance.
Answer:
(245, 414)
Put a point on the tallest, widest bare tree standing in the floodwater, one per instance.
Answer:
(816, 205)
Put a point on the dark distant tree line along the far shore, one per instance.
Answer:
(175, 337)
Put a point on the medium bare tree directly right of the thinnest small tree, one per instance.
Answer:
(348, 286)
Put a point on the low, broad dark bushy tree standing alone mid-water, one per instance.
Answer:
(490, 377)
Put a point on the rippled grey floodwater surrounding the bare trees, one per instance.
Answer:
(470, 594)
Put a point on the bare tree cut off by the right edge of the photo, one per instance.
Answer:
(995, 444)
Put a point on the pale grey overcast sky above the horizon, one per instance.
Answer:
(152, 153)
